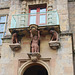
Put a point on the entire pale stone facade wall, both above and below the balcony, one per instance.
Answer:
(61, 60)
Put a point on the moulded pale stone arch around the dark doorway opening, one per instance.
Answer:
(28, 63)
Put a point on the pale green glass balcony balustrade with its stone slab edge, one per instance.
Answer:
(42, 19)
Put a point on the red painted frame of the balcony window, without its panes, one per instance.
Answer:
(37, 15)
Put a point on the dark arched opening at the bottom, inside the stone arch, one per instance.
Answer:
(36, 70)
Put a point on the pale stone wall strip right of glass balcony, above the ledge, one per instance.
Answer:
(62, 8)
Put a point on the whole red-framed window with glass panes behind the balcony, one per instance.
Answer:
(37, 14)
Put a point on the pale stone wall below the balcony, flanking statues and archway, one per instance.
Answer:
(61, 60)
